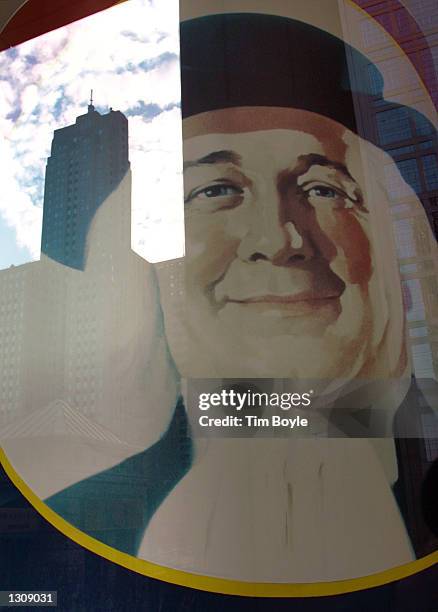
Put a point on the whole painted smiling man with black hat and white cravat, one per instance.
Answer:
(290, 272)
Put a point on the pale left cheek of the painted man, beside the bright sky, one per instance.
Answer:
(210, 248)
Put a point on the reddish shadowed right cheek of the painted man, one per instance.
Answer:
(347, 234)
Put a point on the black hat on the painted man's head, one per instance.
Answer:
(250, 59)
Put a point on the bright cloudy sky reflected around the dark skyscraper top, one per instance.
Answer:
(129, 56)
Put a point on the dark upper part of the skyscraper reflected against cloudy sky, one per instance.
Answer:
(87, 162)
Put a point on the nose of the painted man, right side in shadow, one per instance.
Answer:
(275, 236)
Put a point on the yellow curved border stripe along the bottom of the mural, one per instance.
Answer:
(208, 583)
